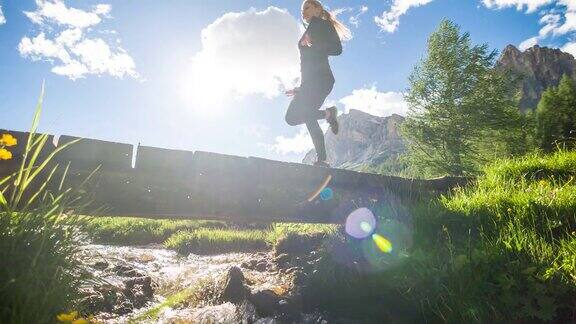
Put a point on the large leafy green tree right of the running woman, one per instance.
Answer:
(462, 111)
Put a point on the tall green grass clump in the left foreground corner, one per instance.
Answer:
(40, 275)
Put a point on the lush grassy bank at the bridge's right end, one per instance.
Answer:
(502, 250)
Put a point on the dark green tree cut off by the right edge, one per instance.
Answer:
(556, 116)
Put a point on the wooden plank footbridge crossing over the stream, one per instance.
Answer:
(163, 183)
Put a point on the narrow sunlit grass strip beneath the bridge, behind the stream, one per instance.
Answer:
(193, 236)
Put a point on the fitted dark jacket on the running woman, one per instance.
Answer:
(325, 42)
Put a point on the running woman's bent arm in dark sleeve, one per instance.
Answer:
(324, 37)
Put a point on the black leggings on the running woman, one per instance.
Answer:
(304, 109)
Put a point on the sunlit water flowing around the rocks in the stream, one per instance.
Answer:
(171, 273)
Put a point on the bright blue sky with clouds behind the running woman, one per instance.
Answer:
(208, 75)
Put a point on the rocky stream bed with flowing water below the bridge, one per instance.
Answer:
(132, 281)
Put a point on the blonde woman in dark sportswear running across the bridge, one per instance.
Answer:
(321, 39)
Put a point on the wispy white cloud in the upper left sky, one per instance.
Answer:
(71, 52)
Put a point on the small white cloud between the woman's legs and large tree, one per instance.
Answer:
(375, 103)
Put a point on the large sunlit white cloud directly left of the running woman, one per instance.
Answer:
(243, 53)
